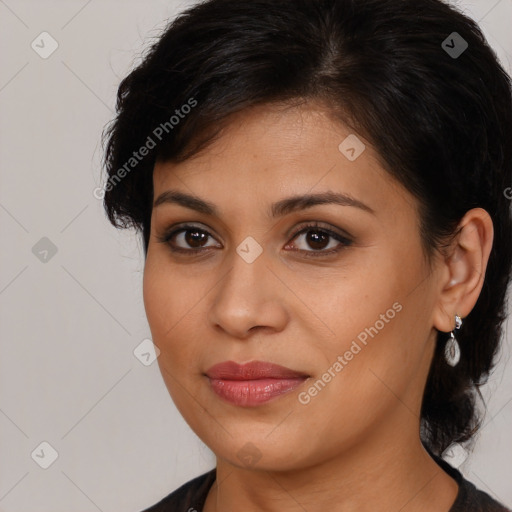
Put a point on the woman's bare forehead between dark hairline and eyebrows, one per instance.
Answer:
(267, 152)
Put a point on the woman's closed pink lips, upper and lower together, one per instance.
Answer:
(253, 383)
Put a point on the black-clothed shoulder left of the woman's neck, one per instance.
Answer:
(190, 497)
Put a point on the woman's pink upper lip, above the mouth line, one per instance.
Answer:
(230, 370)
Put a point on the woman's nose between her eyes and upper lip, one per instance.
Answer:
(248, 298)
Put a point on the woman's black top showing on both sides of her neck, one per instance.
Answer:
(190, 497)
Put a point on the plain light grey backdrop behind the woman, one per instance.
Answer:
(71, 310)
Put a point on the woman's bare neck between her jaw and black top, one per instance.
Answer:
(387, 471)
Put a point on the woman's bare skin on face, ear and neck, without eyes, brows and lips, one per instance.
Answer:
(355, 445)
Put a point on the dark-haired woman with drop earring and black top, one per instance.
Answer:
(321, 187)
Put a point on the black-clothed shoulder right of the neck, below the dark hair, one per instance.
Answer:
(469, 498)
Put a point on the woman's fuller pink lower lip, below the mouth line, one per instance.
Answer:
(250, 393)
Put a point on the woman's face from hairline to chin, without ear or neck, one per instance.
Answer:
(347, 302)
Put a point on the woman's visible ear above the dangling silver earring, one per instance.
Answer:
(463, 269)
